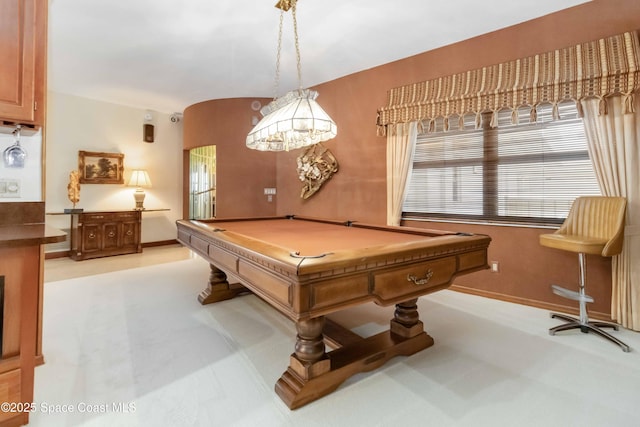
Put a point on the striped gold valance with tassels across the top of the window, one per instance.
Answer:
(599, 69)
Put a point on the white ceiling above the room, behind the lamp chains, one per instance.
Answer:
(166, 55)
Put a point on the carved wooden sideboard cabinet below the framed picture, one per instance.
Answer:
(100, 234)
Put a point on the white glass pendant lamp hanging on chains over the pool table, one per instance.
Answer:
(294, 120)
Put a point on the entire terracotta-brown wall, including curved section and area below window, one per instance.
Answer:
(358, 190)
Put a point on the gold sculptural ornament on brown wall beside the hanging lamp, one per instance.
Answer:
(316, 165)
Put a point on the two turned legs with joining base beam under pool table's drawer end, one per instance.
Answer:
(313, 373)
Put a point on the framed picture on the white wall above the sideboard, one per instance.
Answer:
(101, 168)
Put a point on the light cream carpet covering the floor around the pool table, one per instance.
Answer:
(135, 348)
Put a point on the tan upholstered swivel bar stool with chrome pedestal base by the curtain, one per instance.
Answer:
(595, 225)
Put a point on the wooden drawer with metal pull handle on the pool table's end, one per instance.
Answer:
(418, 279)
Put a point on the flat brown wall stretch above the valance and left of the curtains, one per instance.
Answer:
(358, 190)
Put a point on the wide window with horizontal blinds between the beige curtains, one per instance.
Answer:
(518, 173)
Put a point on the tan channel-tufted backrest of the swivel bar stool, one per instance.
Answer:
(598, 217)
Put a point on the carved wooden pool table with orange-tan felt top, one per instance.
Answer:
(308, 268)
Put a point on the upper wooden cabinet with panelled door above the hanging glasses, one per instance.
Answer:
(23, 30)
